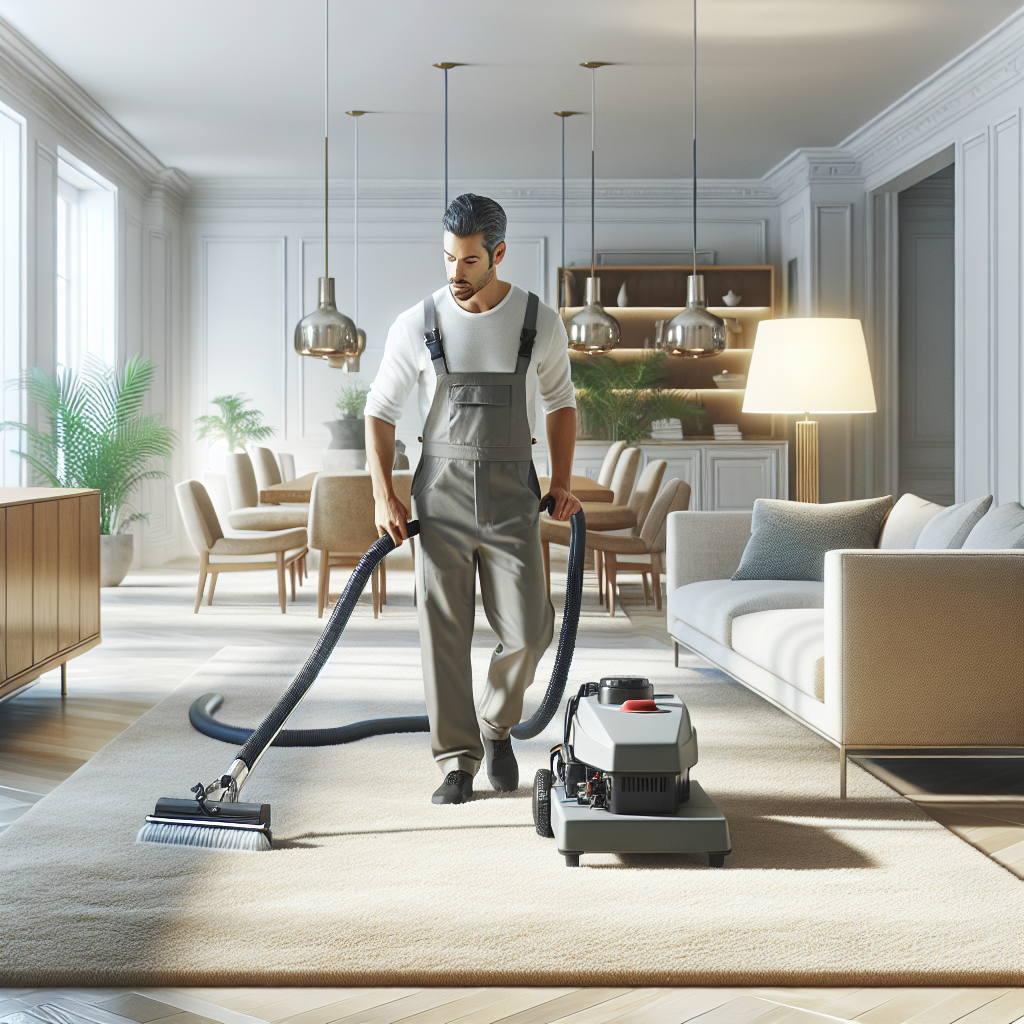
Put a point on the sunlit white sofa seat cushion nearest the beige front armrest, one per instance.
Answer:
(790, 643)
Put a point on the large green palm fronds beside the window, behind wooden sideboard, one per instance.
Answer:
(96, 436)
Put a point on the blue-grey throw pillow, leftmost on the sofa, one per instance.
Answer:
(789, 540)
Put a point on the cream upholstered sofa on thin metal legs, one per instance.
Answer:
(898, 648)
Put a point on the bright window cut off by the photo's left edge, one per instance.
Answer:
(11, 286)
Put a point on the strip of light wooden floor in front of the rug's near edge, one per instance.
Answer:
(515, 1006)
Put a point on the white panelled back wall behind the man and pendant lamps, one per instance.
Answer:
(258, 252)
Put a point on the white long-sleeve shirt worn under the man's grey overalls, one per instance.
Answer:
(486, 343)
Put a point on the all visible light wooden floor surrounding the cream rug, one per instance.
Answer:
(152, 642)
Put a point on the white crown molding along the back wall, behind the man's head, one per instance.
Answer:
(309, 194)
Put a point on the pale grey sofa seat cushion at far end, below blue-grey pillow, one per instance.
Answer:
(711, 606)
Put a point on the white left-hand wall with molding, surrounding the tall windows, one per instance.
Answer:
(151, 301)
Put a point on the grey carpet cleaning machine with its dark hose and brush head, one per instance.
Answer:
(619, 783)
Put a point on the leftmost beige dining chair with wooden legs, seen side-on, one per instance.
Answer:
(219, 553)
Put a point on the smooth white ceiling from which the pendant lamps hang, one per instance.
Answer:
(234, 89)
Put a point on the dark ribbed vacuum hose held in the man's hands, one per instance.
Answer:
(272, 732)
